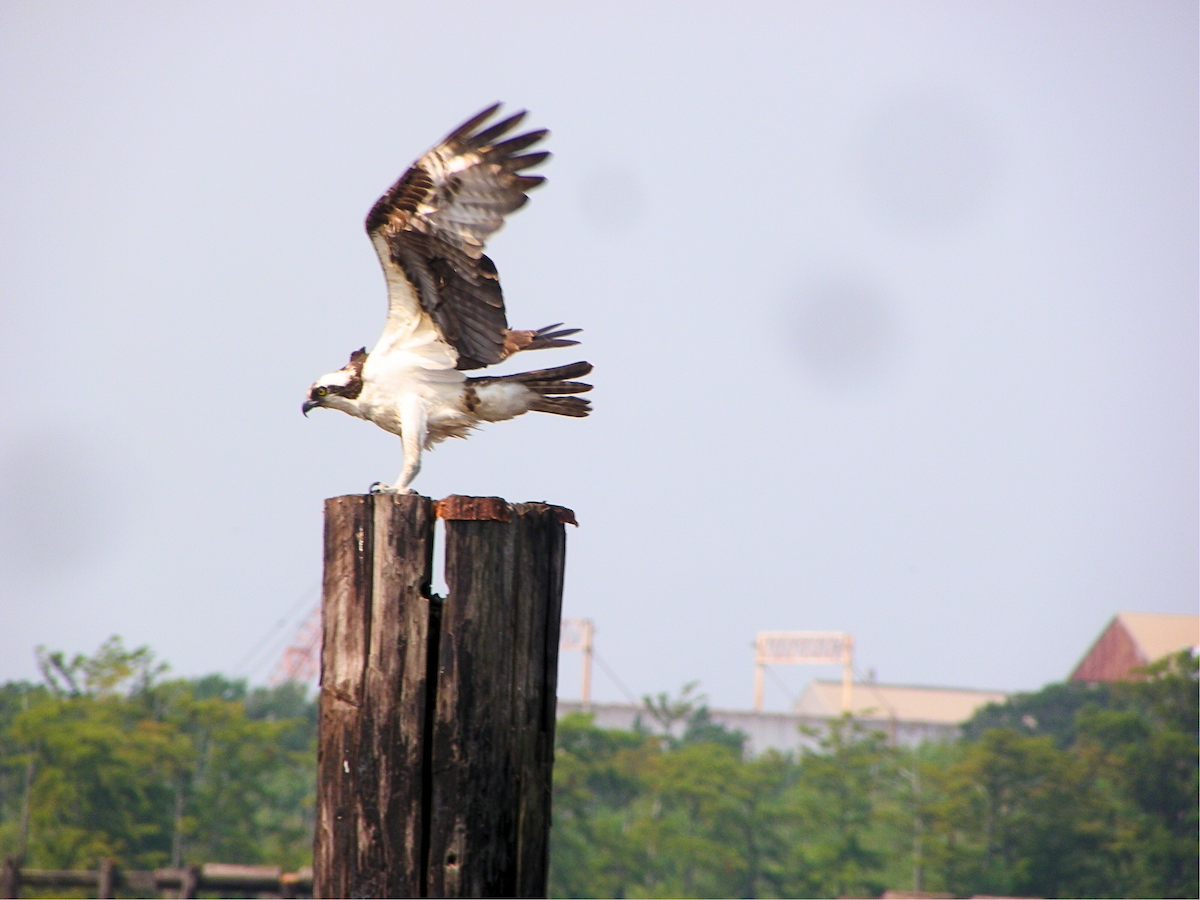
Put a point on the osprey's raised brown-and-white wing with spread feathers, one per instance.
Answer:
(430, 230)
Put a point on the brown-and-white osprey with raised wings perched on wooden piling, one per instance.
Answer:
(446, 311)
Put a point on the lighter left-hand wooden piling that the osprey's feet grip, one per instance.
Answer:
(376, 614)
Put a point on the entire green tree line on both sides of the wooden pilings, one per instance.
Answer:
(1071, 791)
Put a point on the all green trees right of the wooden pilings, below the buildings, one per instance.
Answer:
(1073, 791)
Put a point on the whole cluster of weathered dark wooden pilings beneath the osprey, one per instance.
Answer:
(437, 716)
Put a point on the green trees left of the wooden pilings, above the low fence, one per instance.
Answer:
(153, 772)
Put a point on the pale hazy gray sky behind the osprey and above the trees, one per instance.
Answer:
(893, 309)
